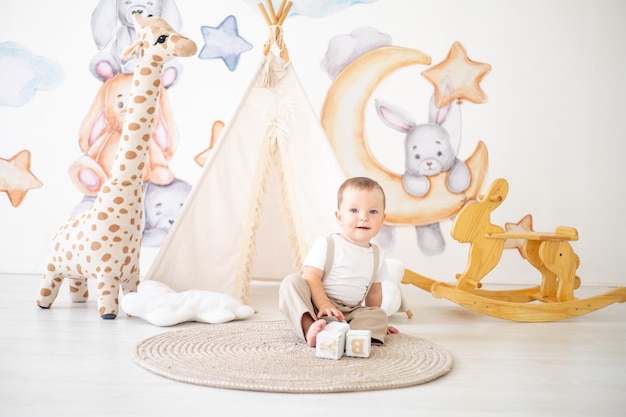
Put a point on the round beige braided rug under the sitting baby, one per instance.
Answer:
(267, 356)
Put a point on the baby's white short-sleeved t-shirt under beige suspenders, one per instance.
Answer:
(351, 271)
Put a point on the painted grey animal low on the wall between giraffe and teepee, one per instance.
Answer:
(162, 203)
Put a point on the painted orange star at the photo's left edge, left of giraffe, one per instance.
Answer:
(16, 178)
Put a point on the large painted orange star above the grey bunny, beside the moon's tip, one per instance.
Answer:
(463, 74)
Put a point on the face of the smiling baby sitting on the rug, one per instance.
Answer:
(361, 215)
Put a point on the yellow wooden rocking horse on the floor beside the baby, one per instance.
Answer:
(550, 253)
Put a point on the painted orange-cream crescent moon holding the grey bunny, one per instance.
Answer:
(342, 118)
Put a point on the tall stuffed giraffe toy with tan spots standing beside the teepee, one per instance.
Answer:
(104, 242)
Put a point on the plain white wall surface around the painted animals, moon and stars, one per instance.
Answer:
(552, 122)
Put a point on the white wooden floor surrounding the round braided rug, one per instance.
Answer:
(66, 361)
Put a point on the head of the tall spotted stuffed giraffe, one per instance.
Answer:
(158, 40)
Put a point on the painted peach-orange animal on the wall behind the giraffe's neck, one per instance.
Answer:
(101, 129)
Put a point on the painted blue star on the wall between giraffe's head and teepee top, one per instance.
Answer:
(224, 42)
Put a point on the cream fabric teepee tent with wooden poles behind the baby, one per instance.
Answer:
(266, 191)
